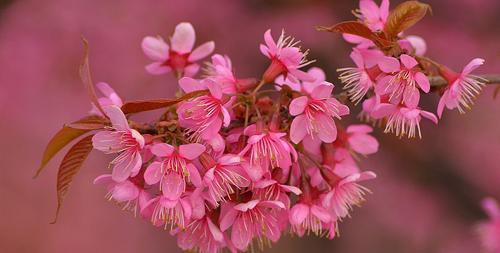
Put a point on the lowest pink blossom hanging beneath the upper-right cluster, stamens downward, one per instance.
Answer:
(402, 120)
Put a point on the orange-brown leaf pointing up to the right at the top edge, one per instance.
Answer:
(404, 16)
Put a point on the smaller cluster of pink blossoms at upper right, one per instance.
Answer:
(390, 82)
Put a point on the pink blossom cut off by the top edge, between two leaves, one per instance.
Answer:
(372, 15)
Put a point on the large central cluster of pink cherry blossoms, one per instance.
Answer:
(243, 161)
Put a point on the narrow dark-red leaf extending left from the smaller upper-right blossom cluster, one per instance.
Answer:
(359, 29)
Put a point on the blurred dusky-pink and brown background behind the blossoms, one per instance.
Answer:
(426, 198)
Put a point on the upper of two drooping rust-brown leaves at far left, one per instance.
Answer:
(67, 134)
